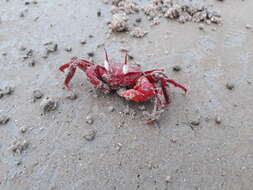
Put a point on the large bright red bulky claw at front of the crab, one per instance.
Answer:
(142, 91)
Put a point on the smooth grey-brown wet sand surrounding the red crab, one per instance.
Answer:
(125, 153)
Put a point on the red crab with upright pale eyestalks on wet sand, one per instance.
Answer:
(129, 81)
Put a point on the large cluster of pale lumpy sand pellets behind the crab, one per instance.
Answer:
(123, 10)
